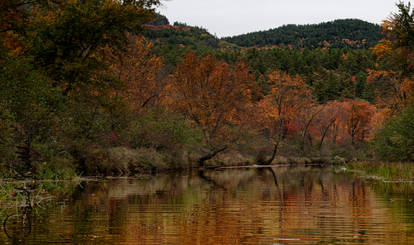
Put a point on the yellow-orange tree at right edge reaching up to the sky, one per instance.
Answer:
(395, 85)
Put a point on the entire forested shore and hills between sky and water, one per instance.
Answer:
(112, 88)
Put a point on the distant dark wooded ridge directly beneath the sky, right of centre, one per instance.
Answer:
(351, 33)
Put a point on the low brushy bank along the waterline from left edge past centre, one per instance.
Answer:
(124, 161)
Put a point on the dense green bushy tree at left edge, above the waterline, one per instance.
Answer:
(29, 109)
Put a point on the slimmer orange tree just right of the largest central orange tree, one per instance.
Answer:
(279, 109)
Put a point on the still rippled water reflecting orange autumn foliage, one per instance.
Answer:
(285, 205)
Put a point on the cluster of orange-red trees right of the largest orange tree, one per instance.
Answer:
(289, 113)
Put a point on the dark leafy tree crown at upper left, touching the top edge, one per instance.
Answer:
(68, 41)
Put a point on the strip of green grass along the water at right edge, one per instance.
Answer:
(388, 171)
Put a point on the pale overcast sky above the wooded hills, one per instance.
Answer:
(233, 17)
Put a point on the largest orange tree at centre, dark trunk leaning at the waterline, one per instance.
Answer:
(213, 95)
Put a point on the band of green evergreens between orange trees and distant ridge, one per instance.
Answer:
(332, 74)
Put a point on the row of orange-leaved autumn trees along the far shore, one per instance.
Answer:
(217, 98)
